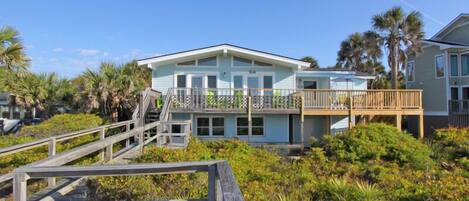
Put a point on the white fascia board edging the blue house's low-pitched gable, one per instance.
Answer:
(223, 49)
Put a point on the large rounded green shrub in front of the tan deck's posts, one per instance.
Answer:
(378, 142)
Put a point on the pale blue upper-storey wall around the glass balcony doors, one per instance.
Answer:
(163, 77)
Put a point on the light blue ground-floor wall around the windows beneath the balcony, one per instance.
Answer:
(276, 129)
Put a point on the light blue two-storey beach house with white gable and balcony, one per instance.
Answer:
(229, 91)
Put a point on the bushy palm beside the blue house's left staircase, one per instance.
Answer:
(113, 90)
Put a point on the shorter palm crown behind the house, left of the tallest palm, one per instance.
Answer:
(361, 52)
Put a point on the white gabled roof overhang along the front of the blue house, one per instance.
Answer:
(223, 49)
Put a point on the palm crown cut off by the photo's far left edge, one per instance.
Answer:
(12, 54)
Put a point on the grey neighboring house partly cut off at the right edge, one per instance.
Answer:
(442, 72)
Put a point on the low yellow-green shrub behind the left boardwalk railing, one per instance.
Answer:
(61, 124)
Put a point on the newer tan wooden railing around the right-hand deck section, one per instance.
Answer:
(363, 99)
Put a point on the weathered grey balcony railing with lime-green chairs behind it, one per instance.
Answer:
(206, 99)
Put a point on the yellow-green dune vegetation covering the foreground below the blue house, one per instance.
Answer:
(370, 162)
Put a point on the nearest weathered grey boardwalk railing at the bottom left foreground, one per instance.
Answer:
(222, 184)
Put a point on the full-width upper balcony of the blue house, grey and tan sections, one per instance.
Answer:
(296, 101)
